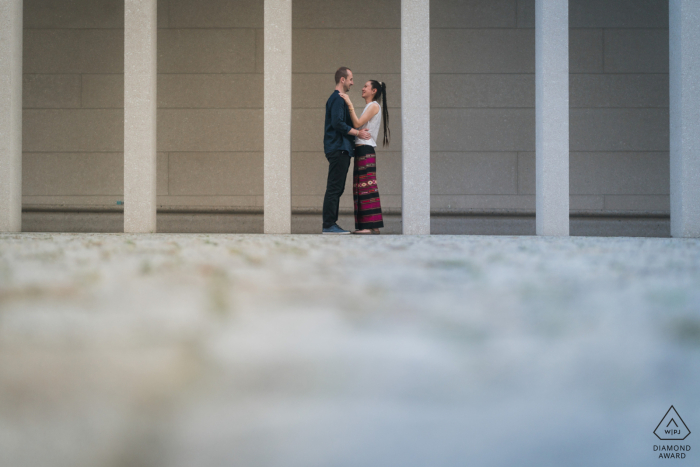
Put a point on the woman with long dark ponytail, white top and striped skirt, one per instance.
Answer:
(365, 194)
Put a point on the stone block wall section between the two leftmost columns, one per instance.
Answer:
(72, 121)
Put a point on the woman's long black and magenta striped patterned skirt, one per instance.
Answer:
(365, 194)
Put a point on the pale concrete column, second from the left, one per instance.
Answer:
(140, 83)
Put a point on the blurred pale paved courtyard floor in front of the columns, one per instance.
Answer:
(305, 351)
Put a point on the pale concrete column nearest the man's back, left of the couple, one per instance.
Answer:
(278, 117)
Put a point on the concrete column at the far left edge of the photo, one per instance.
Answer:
(11, 30)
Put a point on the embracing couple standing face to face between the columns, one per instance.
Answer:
(347, 136)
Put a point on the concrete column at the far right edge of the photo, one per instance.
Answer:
(684, 70)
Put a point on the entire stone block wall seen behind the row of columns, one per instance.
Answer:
(210, 97)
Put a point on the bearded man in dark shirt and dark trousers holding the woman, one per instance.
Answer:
(338, 144)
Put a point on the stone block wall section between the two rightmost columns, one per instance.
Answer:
(619, 106)
